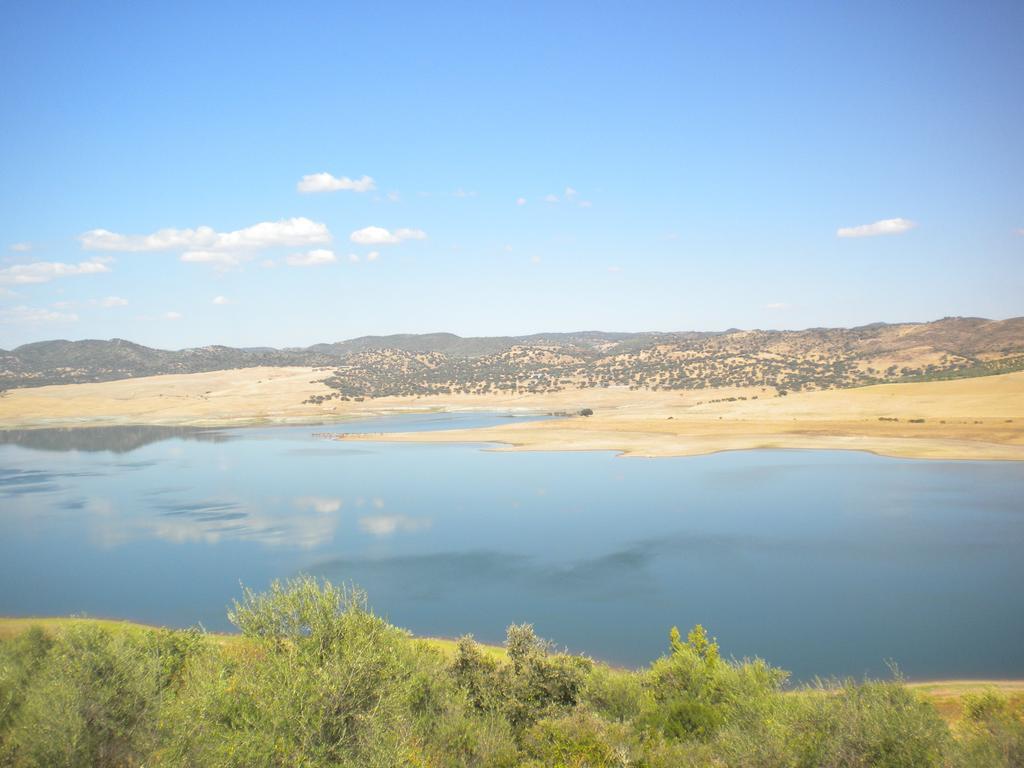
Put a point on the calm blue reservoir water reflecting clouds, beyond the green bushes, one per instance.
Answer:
(825, 564)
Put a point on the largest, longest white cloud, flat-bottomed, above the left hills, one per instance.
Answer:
(204, 245)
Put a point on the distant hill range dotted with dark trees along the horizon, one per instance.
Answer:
(438, 363)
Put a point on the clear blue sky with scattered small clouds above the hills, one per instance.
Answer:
(537, 166)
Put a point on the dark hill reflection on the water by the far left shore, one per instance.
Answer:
(115, 440)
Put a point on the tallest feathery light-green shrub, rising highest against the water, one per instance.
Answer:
(325, 684)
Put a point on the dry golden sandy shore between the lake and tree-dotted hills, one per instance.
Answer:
(967, 419)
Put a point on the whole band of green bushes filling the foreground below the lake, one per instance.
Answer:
(317, 679)
